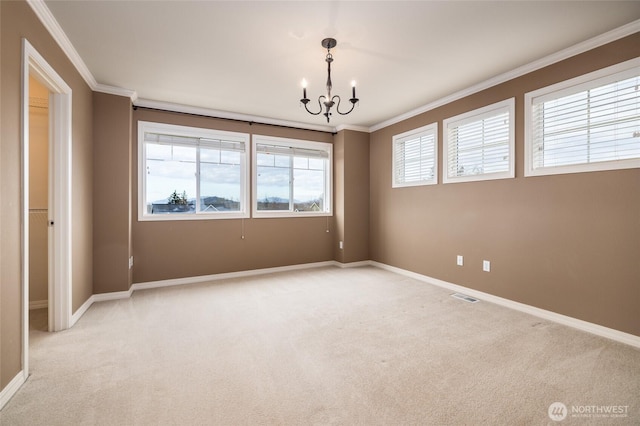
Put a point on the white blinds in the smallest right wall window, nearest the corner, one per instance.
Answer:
(415, 158)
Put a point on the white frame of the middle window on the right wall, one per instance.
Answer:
(508, 105)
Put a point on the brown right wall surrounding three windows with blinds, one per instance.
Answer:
(566, 243)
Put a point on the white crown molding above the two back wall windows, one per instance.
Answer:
(207, 112)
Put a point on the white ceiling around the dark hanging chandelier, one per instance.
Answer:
(249, 57)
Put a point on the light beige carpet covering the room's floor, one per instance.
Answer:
(358, 346)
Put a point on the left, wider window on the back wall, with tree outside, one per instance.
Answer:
(191, 173)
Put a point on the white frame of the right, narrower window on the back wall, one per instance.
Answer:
(291, 143)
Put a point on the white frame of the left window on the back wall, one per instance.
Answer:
(193, 132)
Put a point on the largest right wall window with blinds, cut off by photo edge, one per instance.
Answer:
(585, 124)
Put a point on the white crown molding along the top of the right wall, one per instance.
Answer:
(592, 43)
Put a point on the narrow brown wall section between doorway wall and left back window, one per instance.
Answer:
(111, 193)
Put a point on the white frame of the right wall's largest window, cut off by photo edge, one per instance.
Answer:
(575, 85)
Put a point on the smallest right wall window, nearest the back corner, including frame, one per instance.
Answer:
(415, 157)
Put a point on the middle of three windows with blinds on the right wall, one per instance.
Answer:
(479, 145)
